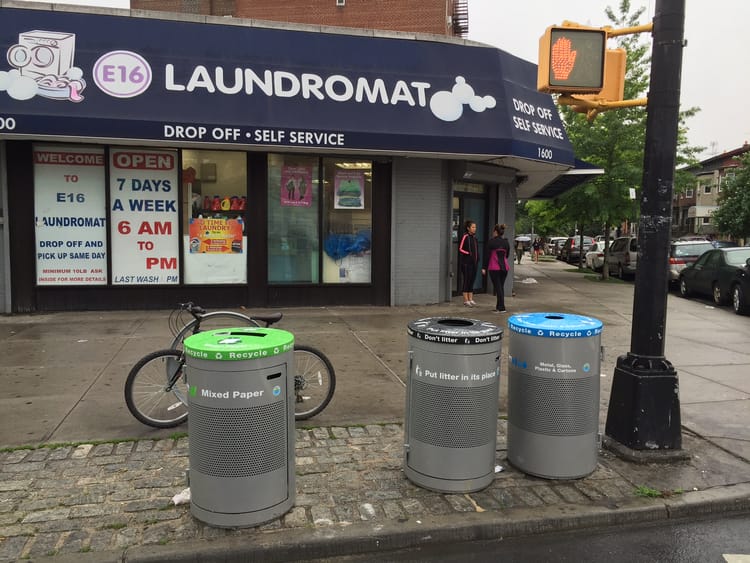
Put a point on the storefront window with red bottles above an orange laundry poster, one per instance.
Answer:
(214, 199)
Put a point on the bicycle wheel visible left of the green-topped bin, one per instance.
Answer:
(147, 392)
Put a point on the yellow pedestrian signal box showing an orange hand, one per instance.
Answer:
(571, 60)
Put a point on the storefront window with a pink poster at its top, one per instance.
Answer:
(293, 224)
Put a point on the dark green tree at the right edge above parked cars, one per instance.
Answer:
(733, 214)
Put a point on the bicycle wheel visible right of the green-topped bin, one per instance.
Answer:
(314, 381)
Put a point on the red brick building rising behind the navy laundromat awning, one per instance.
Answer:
(441, 17)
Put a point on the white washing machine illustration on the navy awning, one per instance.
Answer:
(47, 58)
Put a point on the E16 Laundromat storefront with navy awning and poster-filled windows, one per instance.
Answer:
(237, 164)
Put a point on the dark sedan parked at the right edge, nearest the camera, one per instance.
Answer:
(722, 274)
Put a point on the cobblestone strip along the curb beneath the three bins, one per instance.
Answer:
(95, 498)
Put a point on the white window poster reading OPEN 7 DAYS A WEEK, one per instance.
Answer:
(144, 212)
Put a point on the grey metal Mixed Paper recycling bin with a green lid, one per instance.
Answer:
(241, 425)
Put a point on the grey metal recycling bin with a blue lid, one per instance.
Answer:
(553, 394)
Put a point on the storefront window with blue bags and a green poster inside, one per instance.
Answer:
(347, 221)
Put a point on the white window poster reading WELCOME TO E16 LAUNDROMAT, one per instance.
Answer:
(70, 215)
